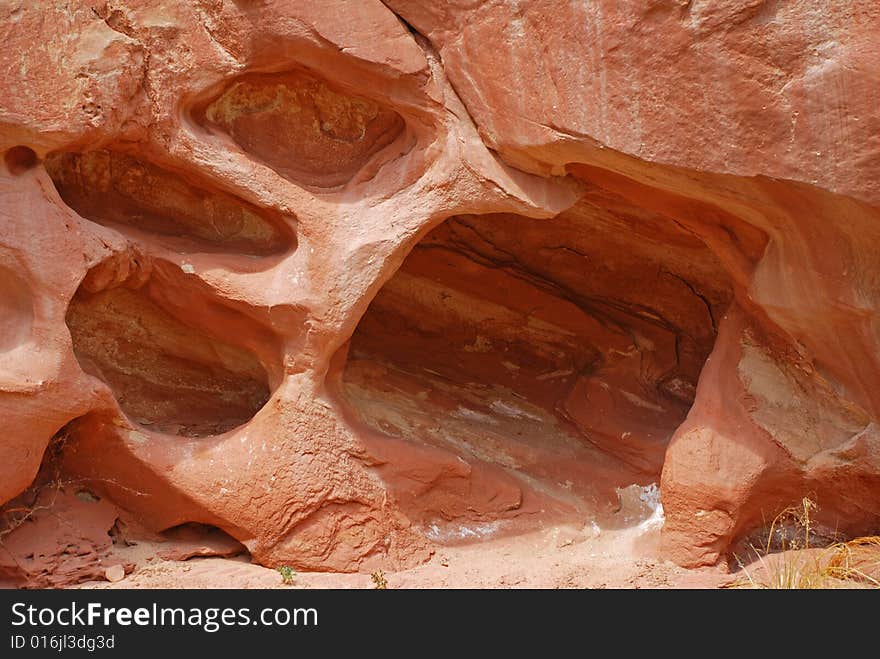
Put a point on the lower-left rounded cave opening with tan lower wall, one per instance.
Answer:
(176, 361)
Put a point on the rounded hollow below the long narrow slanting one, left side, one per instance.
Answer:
(166, 375)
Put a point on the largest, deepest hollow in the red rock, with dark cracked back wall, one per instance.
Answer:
(565, 350)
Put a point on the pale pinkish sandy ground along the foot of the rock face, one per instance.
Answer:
(555, 557)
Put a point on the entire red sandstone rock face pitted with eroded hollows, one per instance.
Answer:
(346, 284)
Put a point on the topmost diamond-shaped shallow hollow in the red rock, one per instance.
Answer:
(302, 126)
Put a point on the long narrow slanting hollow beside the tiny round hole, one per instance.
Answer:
(116, 189)
